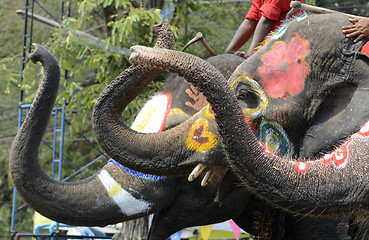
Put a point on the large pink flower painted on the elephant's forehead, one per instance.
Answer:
(284, 69)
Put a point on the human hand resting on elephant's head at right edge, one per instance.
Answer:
(359, 29)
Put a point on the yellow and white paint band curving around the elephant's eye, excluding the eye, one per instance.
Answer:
(258, 90)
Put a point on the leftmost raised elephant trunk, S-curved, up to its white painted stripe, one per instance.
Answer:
(87, 202)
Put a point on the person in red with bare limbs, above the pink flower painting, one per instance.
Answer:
(263, 17)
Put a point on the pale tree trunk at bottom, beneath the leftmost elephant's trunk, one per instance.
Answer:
(136, 229)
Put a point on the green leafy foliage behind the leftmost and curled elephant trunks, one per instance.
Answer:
(101, 59)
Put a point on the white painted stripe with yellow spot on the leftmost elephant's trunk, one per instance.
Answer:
(127, 203)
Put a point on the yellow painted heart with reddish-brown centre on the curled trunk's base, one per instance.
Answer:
(200, 139)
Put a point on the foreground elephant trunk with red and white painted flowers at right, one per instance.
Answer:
(295, 185)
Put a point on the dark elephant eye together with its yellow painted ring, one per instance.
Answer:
(251, 96)
